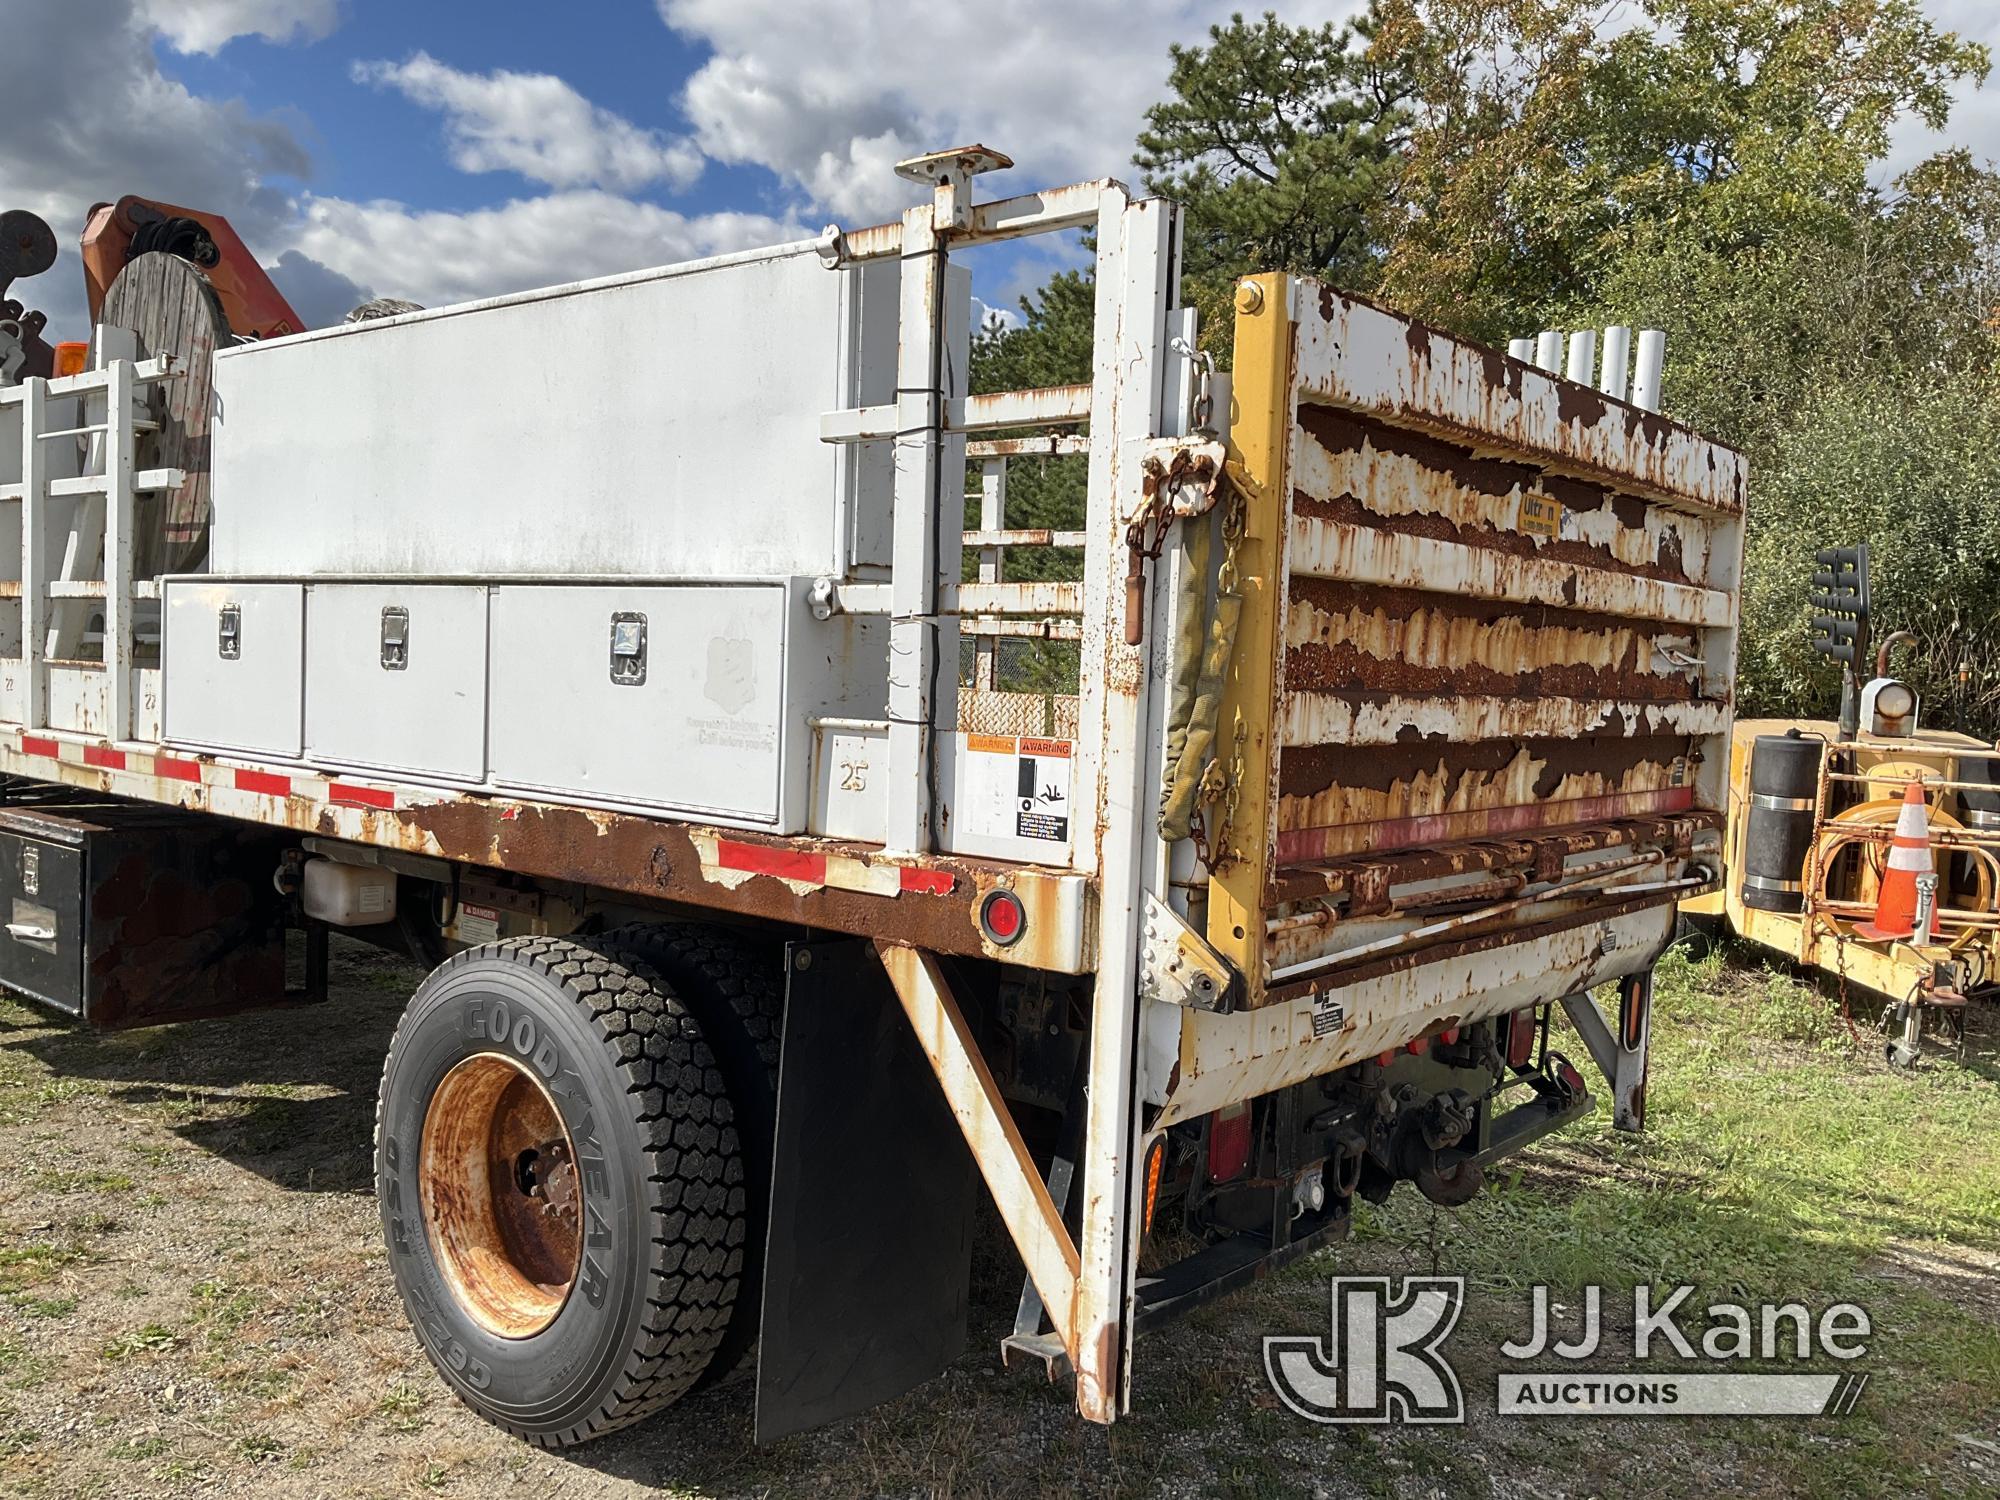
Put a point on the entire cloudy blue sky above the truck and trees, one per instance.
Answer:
(457, 149)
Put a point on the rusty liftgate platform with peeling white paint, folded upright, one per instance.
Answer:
(1505, 647)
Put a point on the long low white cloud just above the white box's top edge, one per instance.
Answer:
(563, 237)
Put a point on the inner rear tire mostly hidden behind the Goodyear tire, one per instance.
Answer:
(735, 987)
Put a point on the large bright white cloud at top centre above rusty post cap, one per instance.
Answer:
(829, 99)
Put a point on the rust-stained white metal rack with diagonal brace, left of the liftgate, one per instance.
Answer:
(1085, 1283)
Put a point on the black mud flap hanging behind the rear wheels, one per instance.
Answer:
(873, 1189)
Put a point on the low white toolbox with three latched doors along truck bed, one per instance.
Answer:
(691, 699)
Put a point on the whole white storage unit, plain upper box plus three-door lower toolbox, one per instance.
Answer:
(563, 543)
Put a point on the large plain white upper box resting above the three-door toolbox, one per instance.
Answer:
(663, 425)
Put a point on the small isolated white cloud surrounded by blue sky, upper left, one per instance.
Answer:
(539, 127)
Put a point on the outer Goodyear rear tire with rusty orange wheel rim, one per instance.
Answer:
(561, 1185)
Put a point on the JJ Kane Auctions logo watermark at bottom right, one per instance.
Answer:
(1385, 1359)
